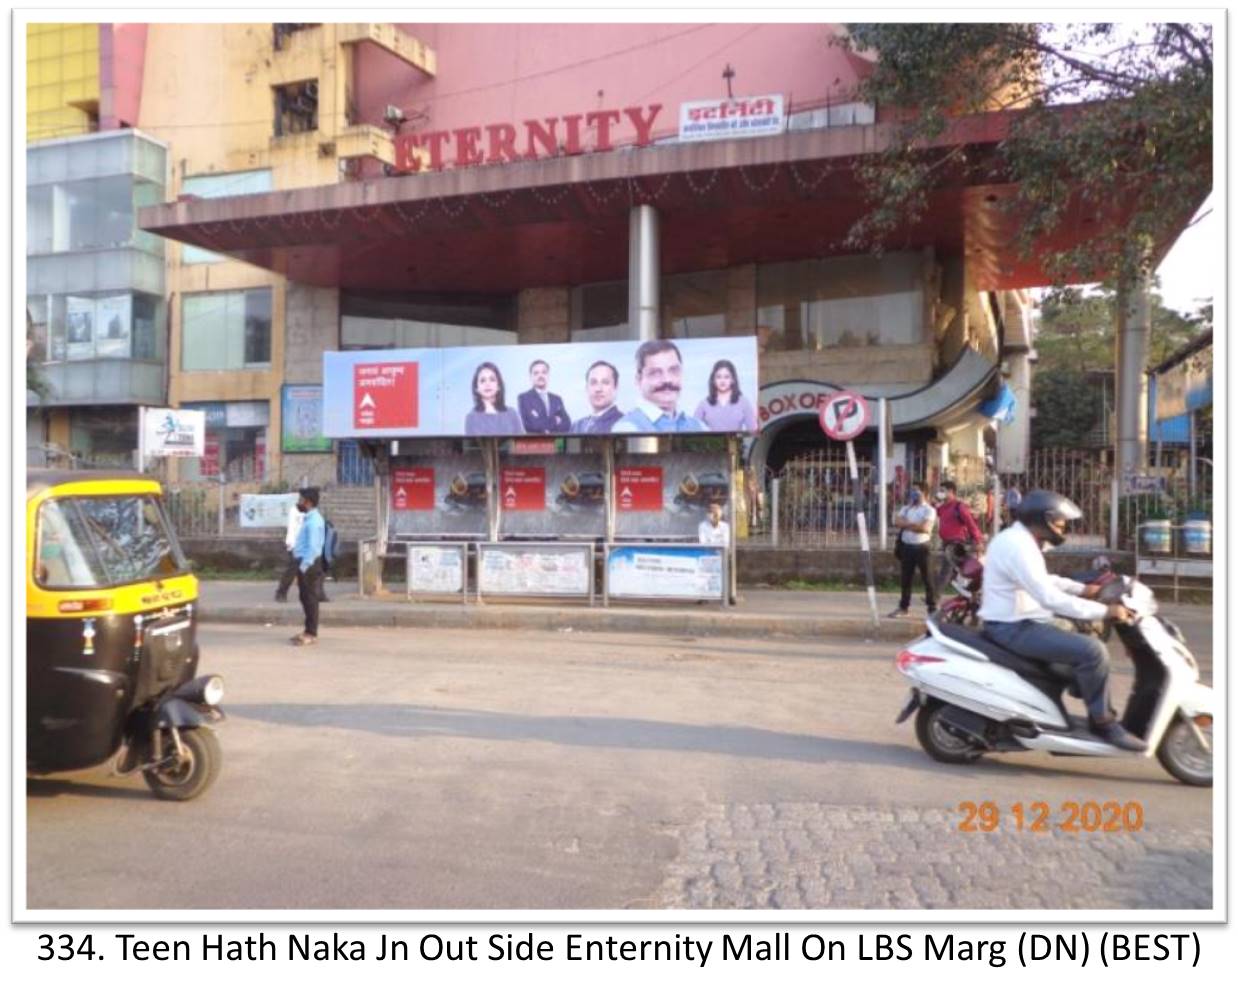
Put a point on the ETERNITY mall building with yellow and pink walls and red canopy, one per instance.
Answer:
(322, 187)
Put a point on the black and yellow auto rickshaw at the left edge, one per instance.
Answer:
(112, 652)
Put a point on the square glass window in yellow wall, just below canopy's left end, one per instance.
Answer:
(226, 331)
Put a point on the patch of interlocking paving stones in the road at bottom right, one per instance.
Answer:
(803, 856)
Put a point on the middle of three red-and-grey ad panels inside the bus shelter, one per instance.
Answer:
(564, 496)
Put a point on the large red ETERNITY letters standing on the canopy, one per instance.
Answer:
(507, 143)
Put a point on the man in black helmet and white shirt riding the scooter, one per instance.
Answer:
(1021, 598)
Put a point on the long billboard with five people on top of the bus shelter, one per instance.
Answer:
(698, 387)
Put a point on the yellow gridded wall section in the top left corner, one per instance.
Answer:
(63, 80)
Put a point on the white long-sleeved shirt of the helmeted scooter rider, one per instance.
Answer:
(1018, 586)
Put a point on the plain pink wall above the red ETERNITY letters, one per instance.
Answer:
(495, 74)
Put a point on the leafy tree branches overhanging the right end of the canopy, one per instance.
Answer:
(1136, 147)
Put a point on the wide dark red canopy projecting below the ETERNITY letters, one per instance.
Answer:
(564, 222)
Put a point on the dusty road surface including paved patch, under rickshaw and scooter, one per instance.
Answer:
(508, 770)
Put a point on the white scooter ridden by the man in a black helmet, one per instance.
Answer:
(974, 697)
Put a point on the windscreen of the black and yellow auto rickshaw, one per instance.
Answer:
(105, 543)
